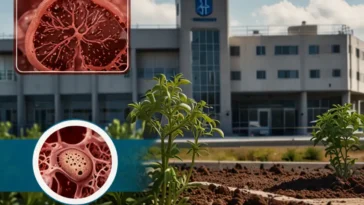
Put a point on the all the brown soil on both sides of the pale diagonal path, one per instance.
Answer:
(299, 183)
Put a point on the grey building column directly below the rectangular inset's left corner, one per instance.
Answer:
(20, 105)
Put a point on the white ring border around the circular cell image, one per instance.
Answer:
(97, 194)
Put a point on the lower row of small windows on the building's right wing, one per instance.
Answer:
(286, 74)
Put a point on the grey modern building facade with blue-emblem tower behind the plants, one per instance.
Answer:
(258, 83)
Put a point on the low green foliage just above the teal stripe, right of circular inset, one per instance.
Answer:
(125, 130)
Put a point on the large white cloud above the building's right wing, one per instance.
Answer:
(316, 12)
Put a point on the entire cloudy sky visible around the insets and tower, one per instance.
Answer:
(242, 13)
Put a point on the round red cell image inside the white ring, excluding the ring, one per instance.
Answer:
(75, 162)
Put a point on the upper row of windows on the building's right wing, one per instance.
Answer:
(287, 50)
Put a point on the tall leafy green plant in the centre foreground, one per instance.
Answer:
(166, 102)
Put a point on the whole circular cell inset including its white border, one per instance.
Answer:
(75, 162)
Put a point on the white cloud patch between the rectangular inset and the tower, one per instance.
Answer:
(147, 12)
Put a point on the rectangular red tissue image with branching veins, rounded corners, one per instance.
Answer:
(72, 35)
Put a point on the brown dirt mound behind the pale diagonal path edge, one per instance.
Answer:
(299, 183)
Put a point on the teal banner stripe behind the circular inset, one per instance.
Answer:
(16, 171)
